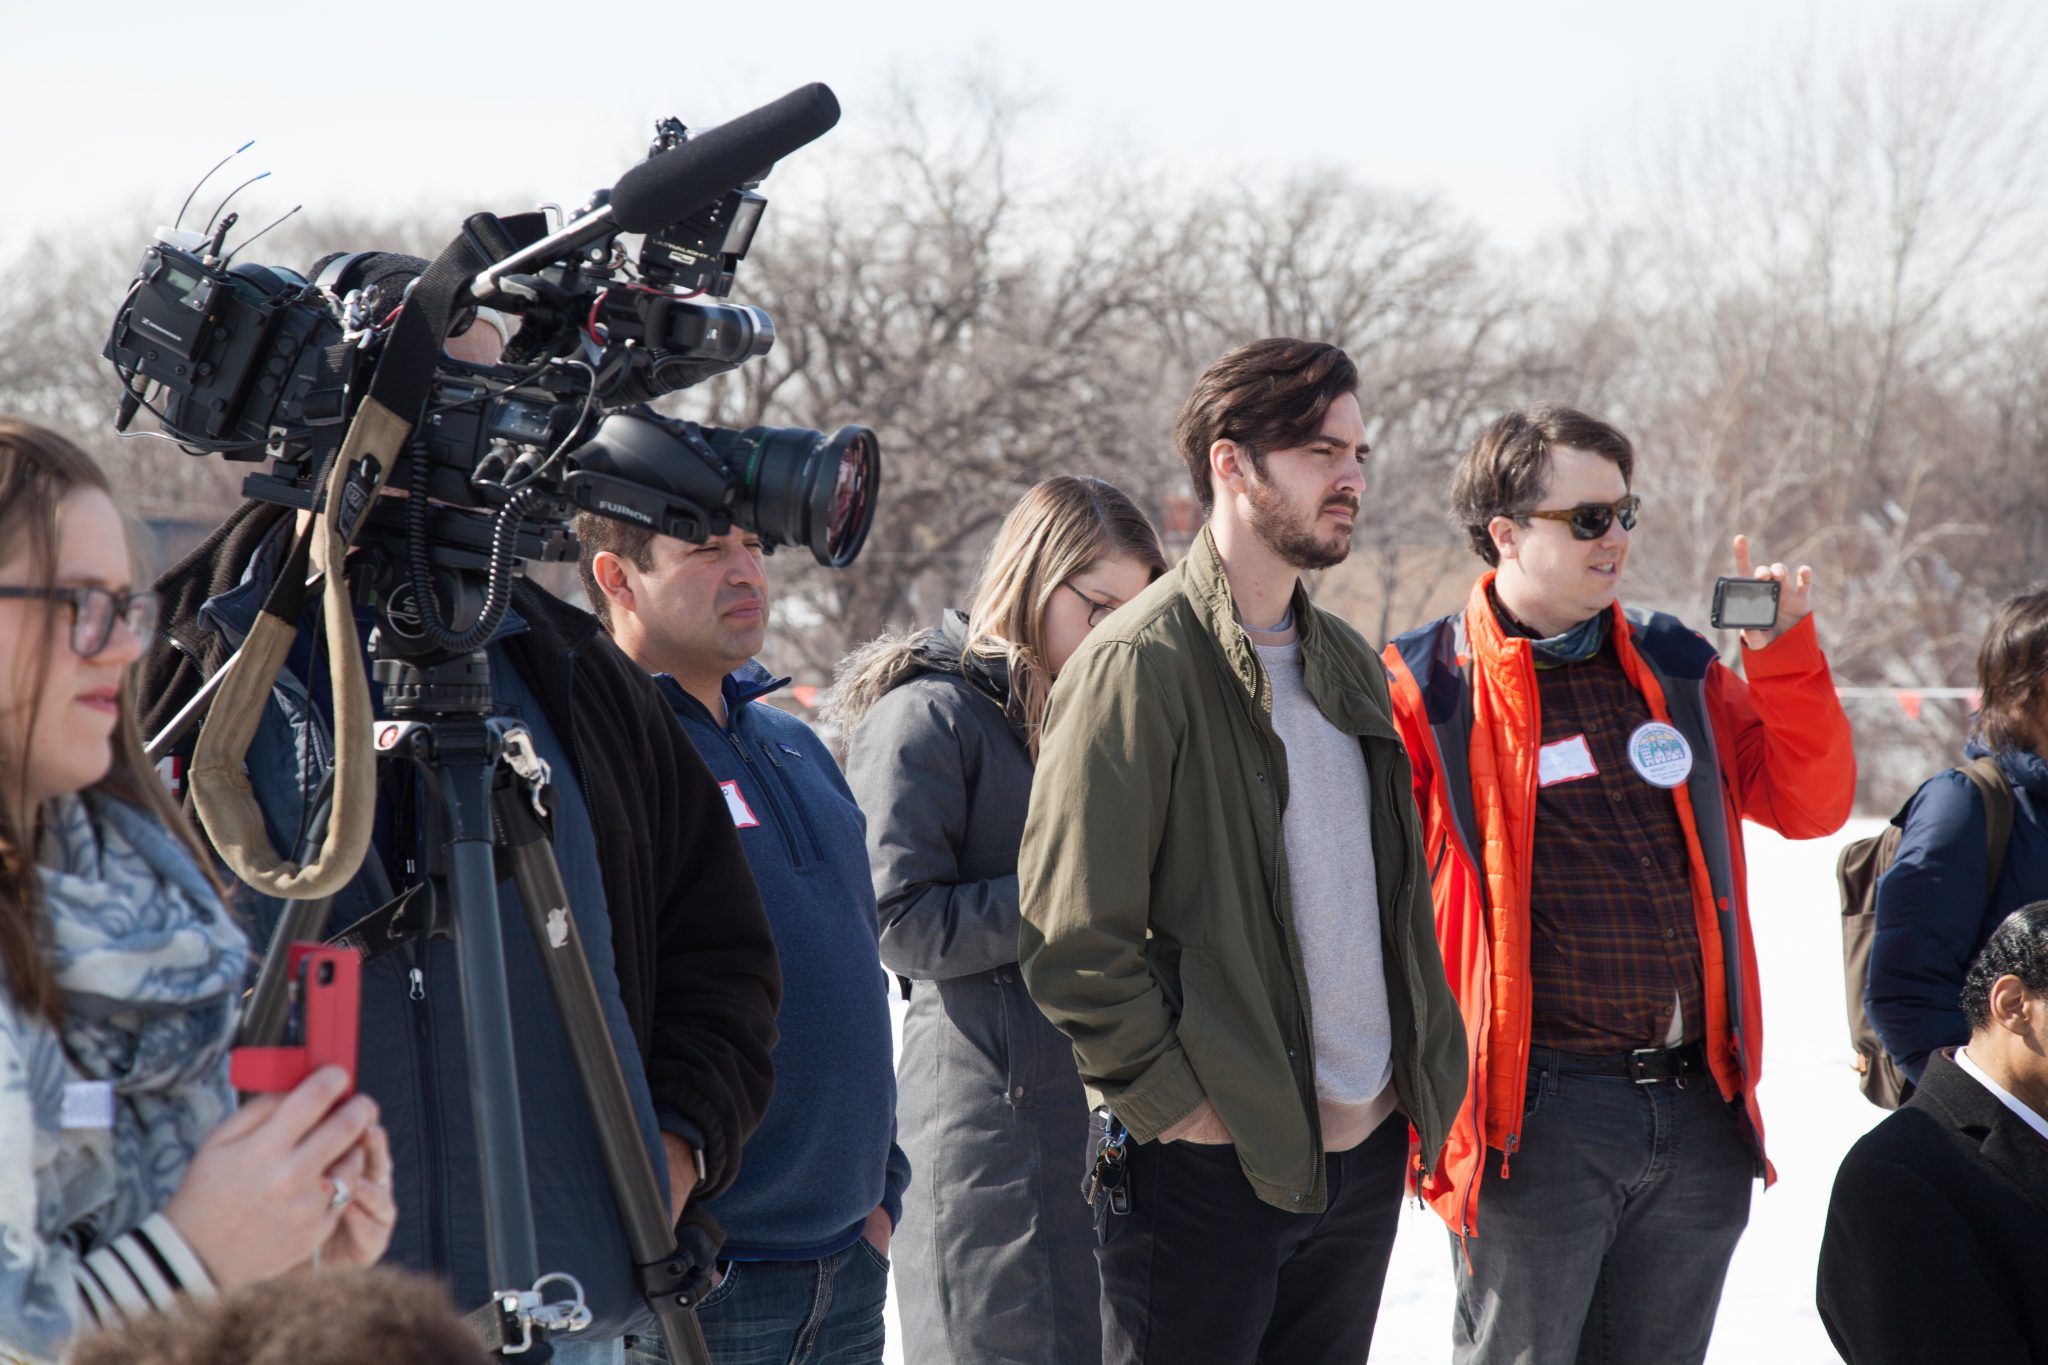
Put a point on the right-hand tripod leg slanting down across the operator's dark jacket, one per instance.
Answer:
(642, 1213)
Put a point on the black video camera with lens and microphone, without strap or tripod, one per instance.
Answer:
(261, 363)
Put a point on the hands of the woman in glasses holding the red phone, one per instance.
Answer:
(257, 1200)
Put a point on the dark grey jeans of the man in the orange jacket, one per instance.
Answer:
(1611, 1239)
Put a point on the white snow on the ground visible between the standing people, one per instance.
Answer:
(1811, 1110)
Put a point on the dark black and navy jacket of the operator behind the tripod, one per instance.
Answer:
(685, 961)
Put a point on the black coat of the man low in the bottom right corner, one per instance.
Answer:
(1938, 1233)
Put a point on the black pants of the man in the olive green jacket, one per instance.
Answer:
(1203, 1270)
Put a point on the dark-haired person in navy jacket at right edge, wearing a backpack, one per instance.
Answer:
(1940, 897)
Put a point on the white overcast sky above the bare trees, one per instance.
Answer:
(114, 107)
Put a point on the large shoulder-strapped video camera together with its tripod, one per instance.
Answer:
(347, 390)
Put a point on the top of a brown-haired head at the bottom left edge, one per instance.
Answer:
(333, 1319)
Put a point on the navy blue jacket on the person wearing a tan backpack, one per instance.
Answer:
(1936, 908)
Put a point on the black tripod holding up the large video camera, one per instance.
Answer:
(488, 795)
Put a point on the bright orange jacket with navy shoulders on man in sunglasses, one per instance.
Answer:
(1465, 701)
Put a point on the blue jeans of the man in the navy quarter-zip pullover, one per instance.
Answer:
(792, 1313)
